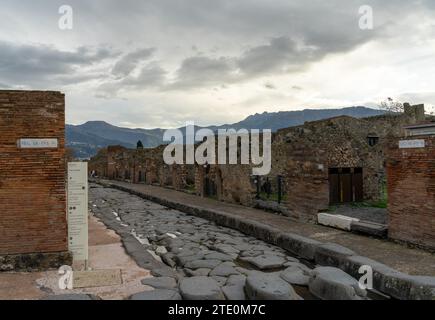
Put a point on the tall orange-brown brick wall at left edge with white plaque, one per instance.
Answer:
(32, 181)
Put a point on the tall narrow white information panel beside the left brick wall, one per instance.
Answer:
(78, 210)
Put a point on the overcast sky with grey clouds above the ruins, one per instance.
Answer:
(159, 63)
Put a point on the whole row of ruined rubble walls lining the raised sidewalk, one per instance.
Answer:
(301, 155)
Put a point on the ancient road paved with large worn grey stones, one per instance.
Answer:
(209, 261)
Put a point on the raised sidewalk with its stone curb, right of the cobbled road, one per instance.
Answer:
(393, 264)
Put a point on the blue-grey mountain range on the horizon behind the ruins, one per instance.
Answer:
(87, 138)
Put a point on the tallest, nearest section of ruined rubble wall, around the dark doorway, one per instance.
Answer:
(304, 155)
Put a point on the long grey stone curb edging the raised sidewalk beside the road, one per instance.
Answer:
(386, 280)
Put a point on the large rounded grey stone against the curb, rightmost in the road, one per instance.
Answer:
(330, 283)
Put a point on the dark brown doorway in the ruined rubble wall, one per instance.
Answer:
(345, 185)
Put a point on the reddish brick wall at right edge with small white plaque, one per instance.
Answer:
(411, 193)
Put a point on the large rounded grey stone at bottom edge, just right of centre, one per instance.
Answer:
(266, 287)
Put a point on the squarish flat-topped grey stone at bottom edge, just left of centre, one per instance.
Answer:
(200, 288)
